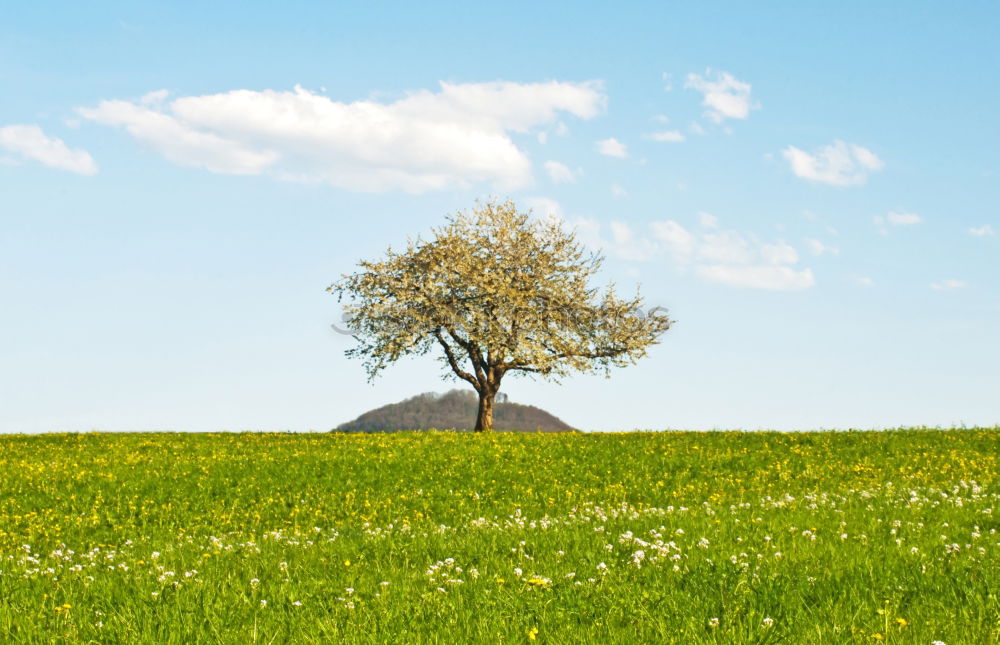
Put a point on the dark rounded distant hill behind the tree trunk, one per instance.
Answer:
(454, 410)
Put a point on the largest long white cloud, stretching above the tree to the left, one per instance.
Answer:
(425, 141)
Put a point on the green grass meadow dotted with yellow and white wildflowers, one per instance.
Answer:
(455, 538)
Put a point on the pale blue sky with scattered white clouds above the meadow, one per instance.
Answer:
(812, 191)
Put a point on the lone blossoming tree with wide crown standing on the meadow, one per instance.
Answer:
(495, 292)
